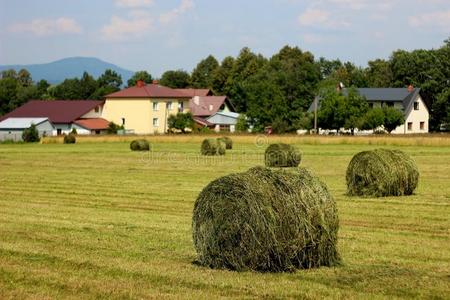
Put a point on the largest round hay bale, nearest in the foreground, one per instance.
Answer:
(266, 220)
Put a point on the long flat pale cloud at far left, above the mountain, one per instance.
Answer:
(46, 27)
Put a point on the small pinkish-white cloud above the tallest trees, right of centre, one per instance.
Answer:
(320, 18)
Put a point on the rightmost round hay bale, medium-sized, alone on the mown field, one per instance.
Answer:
(381, 172)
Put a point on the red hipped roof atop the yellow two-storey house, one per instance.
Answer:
(148, 91)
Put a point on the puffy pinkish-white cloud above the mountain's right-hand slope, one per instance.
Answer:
(120, 29)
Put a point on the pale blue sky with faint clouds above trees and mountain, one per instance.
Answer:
(158, 35)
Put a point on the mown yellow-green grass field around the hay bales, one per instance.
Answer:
(94, 220)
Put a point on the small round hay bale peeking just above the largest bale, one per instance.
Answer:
(282, 156)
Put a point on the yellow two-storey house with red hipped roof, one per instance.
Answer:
(145, 108)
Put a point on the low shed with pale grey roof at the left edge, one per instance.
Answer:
(12, 128)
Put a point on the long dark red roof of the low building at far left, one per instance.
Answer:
(57, 111)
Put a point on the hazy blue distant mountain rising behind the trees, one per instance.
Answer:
(59, 70)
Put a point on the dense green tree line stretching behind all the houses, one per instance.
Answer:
(275, 91)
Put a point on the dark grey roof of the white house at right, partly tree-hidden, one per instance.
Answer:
(384, 94)
